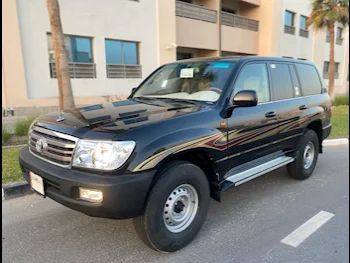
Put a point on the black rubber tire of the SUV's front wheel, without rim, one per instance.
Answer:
(151, 227)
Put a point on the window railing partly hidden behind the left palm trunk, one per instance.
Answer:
(76, 70)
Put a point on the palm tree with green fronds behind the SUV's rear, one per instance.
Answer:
(325, 15)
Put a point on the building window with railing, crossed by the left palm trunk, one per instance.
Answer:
(79, 55)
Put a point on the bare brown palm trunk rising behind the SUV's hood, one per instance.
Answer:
(66, 98)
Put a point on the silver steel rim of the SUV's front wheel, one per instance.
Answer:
(180, 208)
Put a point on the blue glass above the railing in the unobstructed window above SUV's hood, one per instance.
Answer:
(121, 52)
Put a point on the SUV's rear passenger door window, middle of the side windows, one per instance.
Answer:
(281, 81)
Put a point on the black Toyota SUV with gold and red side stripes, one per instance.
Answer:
(191, 130)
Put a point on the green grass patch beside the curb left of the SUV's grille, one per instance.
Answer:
(11, 172)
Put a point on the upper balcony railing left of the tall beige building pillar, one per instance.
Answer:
(195, 12)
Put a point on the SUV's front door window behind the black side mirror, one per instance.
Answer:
(254, 77)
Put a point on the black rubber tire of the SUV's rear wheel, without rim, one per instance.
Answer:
(296, 169)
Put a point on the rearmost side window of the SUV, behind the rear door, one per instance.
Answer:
(310, 80)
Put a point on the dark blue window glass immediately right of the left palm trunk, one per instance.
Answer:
(81, 50)
